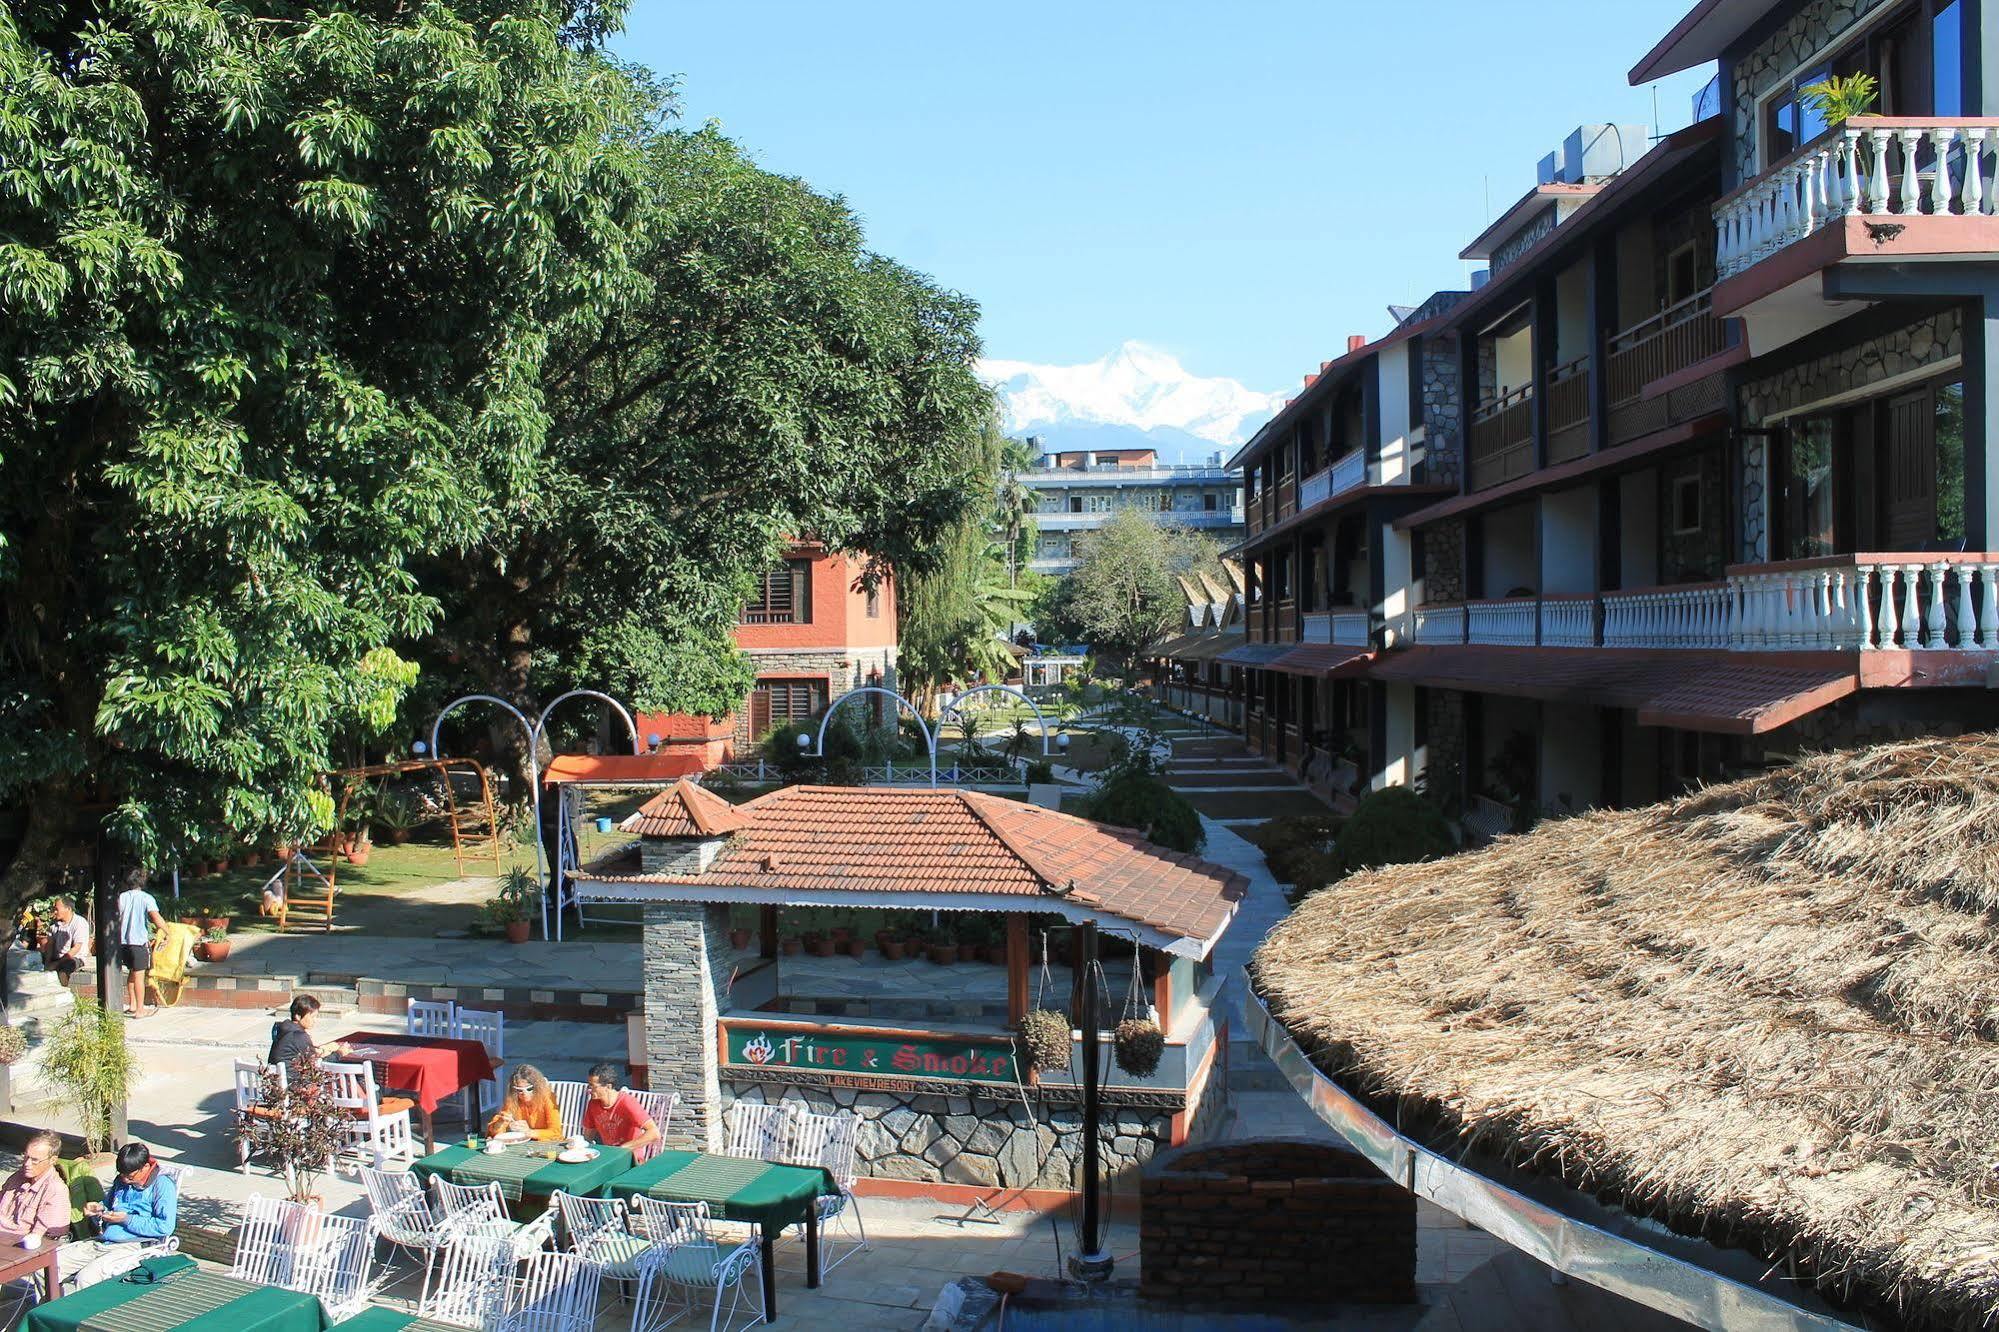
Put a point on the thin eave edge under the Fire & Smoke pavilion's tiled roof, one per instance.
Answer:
(637, 893)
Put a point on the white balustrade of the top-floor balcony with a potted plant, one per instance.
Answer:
(1868, 165)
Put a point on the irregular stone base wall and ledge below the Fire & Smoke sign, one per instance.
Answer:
(995, 1143)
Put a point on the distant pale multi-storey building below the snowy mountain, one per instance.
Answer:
(1080, 491)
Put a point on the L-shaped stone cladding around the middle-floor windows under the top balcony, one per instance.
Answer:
(1852, 369)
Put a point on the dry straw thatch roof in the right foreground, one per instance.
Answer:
(1762, 1013)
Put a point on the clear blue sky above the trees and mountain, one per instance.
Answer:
(1242, 185)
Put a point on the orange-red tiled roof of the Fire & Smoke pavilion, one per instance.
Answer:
(913, 843)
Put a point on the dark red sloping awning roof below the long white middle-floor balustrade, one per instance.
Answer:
(1730, 693)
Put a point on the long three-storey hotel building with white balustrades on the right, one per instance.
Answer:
(1698, 479)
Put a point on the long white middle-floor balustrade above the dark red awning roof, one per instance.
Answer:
(1860, 603)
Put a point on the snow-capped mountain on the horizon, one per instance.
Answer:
(1132, 399)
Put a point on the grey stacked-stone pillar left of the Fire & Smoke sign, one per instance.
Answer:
(685, 959)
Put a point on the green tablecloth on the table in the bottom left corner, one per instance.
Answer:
(181, 1299)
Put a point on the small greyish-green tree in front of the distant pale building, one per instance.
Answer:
(1124, 593)
